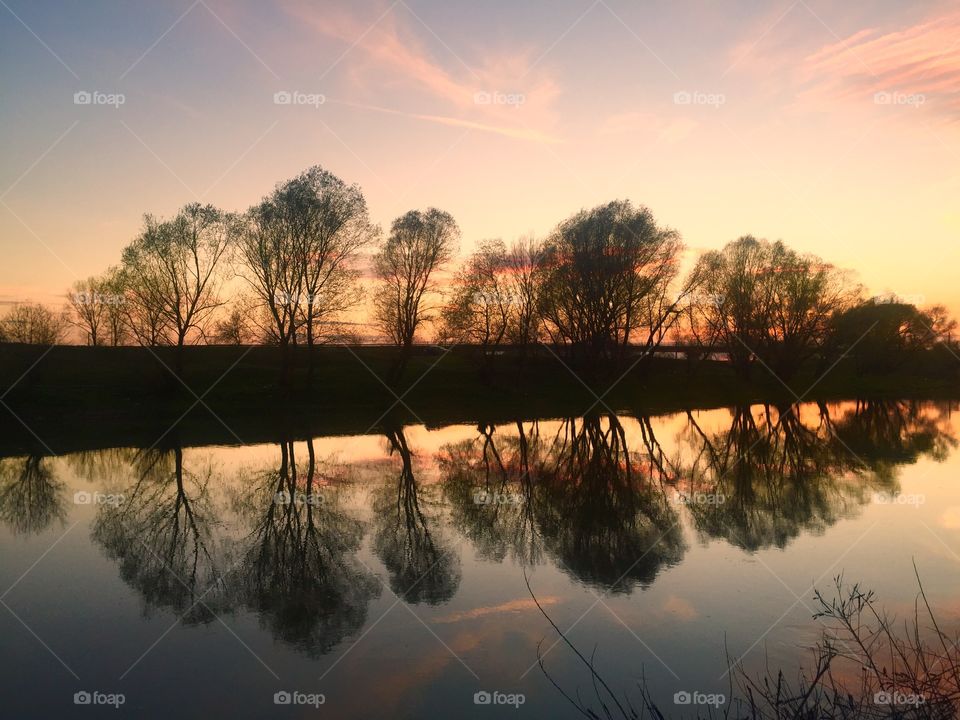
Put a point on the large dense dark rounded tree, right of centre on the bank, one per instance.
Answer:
(608, 272)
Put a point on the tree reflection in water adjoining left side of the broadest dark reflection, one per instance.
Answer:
(498, 470)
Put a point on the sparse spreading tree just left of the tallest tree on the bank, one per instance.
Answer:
(172, 267)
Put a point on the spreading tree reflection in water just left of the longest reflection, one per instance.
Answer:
(162, 536)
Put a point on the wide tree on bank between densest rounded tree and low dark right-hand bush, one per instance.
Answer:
(769, 303)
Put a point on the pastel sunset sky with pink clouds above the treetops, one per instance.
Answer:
(832, 126)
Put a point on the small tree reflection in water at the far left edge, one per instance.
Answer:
(31, 497)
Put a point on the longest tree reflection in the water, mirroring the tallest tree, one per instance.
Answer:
(298, 568)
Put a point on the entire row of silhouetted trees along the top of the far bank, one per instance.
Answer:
(605, 284)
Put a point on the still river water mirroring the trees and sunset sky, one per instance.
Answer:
(386, 575)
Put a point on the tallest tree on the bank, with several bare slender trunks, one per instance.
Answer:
(299, 248)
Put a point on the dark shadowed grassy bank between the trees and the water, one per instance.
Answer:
(68, 398)
